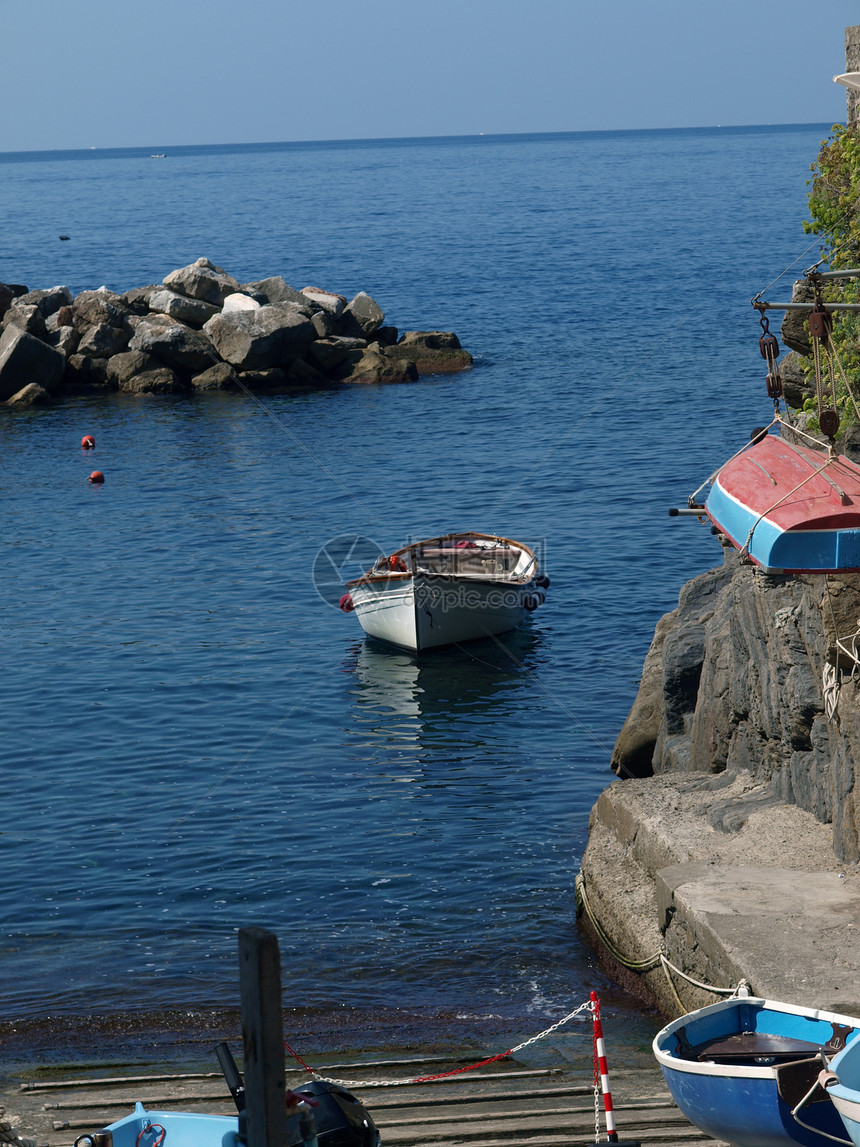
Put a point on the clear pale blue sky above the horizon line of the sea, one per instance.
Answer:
(162, 73)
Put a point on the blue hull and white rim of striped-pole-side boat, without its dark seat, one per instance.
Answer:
(740, 1103)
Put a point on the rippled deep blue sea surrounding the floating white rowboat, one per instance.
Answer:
(196, 738)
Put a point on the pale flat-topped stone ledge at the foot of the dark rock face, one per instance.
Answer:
(729, 884)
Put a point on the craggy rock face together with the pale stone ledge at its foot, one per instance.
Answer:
(729, 848)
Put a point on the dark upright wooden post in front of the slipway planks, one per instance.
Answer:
(260, 976)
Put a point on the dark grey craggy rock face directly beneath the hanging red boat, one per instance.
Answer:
(737, 680)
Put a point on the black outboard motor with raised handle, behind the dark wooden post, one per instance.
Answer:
(331, 1117)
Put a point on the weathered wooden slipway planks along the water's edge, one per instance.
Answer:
(506, 1103)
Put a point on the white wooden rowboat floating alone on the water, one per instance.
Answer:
(445, 591)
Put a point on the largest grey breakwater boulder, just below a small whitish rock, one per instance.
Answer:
(259, 340)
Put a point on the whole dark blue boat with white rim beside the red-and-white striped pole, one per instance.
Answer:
(740, 1071)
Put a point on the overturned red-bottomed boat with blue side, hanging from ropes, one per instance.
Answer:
(789, 509)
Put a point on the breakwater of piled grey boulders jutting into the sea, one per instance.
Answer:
(200, 330)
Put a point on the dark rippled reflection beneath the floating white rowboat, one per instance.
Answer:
(402, 703)
